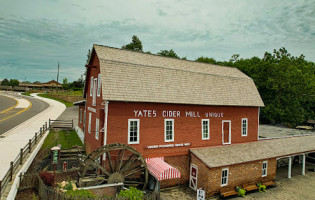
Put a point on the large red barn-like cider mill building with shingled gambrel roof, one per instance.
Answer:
(170, 109)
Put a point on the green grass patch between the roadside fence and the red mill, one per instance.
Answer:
(67, 139)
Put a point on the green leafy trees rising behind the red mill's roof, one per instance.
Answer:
(286, 83)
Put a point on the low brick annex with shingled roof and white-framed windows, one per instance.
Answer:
(240, 164)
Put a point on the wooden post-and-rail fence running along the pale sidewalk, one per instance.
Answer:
(20, 158)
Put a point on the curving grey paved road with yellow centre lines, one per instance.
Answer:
(15, 116)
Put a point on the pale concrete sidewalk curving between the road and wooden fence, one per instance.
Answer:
(18, 137)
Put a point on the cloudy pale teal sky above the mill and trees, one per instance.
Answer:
(35, 35)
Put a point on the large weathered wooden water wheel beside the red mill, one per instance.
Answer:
(123, 164)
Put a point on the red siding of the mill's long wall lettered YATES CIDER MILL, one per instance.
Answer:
(186, 129)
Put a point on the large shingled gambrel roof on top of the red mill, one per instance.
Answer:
(141, 77)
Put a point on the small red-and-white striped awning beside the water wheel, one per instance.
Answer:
(161, 170)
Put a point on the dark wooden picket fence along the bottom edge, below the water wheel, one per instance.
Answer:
(33, 181)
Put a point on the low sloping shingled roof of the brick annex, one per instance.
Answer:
(260, 150)
